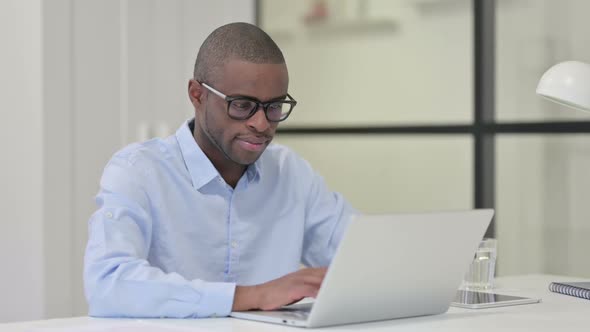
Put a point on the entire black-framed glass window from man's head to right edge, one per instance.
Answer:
(458, 73)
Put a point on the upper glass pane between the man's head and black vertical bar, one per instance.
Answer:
(377, 62)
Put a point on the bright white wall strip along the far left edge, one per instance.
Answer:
(21, 177)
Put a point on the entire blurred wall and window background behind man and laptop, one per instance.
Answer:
(404, 105)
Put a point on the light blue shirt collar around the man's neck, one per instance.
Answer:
(198, 164)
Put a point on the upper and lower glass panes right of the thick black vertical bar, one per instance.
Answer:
(541, 177)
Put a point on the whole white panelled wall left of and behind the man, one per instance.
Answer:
(80, 79)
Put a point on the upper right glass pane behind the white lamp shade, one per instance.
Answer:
(532, 36)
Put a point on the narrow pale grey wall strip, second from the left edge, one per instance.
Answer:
(58, 154)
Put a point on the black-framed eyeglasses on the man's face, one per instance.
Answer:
(242, 107)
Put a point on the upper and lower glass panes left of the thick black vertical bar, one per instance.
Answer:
(367, 64)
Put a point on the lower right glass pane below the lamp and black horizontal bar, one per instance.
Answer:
(543, 188)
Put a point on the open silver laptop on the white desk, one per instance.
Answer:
(388, 267)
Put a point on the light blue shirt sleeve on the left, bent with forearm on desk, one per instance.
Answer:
(118, 279)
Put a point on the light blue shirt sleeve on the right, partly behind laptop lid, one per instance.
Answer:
(327, 216)
